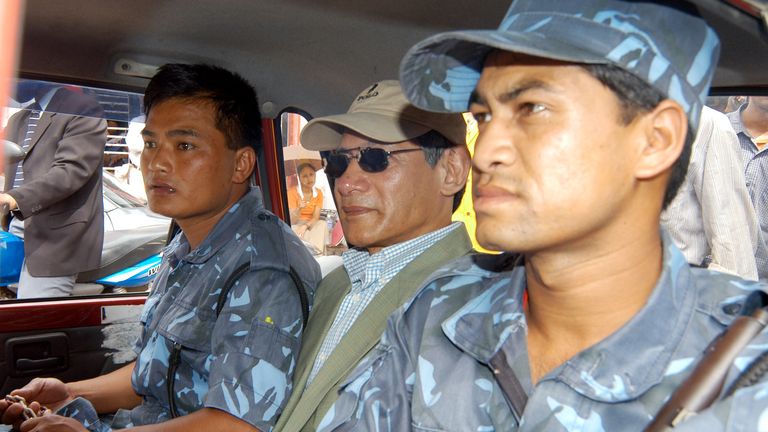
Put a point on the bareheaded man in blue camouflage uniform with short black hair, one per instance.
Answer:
(222, 325)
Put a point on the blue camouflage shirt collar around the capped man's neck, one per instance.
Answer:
(620, 367)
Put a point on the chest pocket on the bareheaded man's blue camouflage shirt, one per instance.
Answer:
(189, 326)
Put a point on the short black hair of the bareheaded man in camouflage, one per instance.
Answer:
(232, 97)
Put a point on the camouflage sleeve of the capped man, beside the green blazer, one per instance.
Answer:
(377, 394)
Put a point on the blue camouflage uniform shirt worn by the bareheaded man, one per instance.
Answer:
(240, 361)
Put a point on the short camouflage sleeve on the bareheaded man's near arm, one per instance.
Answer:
(254, 345)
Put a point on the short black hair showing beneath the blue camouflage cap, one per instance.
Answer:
(637, 97)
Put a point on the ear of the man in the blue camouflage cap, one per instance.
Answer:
(664, 128)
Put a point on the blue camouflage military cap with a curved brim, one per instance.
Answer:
(670, 47)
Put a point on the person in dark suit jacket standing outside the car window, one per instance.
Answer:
(58, 208)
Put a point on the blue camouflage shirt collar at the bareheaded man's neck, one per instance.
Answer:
(222, 232)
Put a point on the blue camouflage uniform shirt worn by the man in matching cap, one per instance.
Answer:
(431, 370)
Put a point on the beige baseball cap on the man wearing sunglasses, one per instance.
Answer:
(382, 113)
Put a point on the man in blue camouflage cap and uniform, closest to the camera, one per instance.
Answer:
(586, 112)
